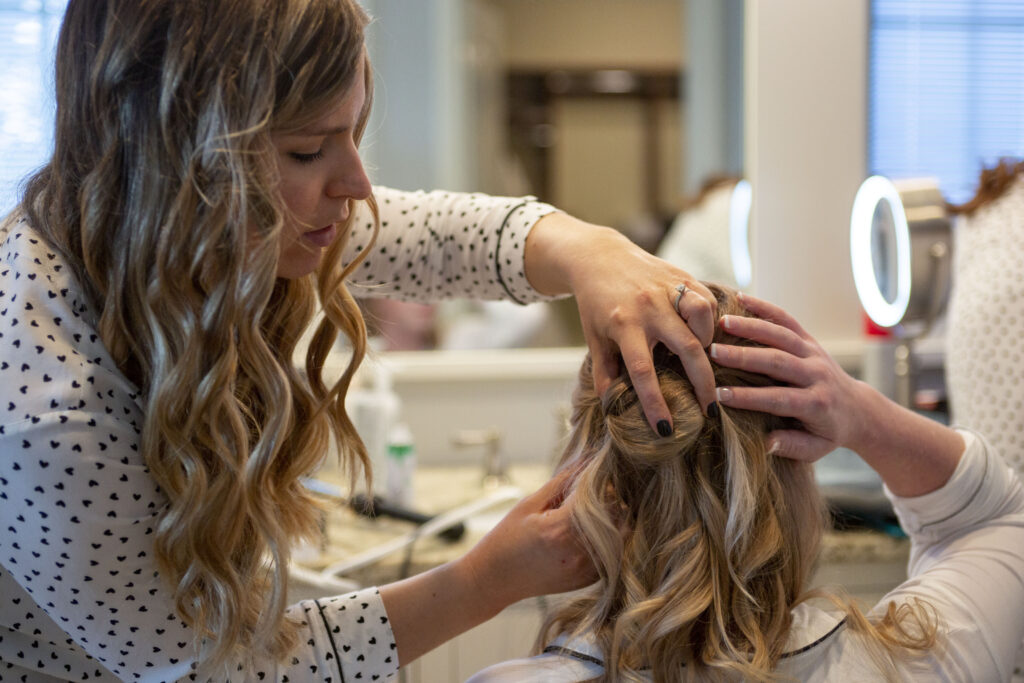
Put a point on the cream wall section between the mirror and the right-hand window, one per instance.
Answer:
(806, 76)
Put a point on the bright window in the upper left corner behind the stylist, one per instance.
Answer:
(28, 35)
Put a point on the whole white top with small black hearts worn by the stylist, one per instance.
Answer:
(80, 595)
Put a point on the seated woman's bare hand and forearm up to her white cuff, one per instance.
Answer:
(912, 454)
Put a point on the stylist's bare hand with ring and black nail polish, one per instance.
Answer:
(627, 300)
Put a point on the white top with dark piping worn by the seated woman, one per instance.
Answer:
(967, 561)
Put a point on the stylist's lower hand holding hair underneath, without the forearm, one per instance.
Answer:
(534, 550)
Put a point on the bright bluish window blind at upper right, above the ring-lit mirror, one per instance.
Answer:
(947, 81)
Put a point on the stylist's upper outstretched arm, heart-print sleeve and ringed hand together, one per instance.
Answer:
(442, 245)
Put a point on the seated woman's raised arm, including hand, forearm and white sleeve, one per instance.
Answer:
(962, 506)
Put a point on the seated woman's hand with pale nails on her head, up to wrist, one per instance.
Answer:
(829, 403)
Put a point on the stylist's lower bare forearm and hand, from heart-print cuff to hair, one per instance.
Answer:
(532, 552)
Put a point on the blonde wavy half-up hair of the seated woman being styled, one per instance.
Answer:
(704, 541)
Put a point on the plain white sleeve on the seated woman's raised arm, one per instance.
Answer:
(967, 562)
